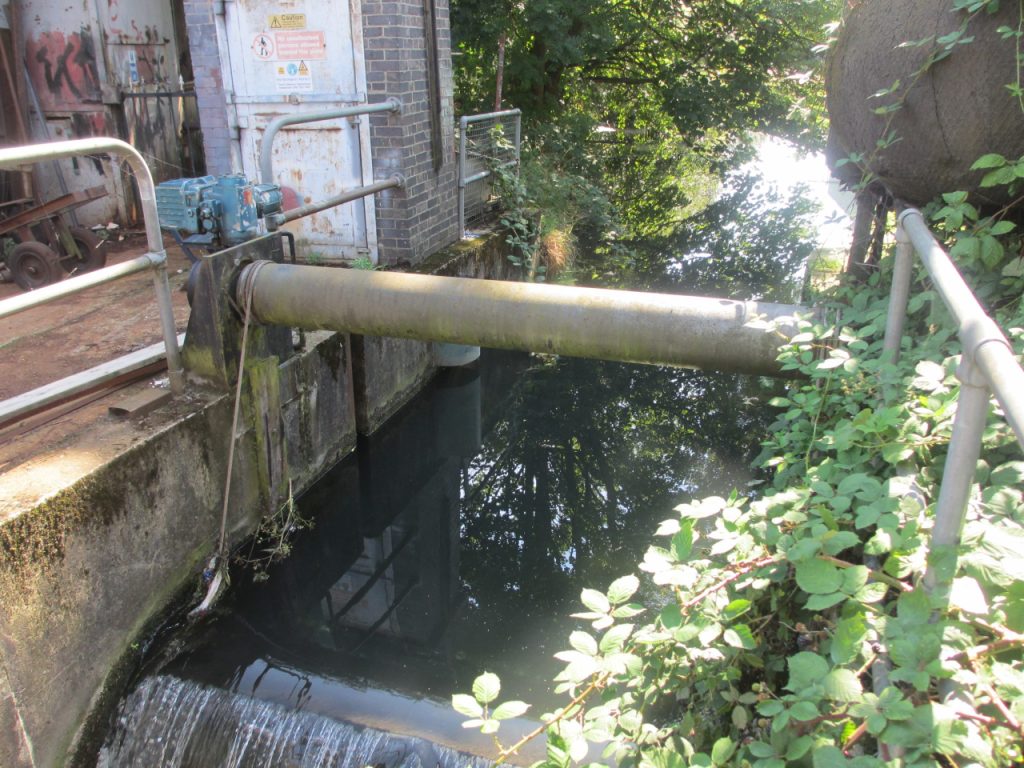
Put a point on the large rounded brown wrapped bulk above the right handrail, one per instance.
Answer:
(942, 117)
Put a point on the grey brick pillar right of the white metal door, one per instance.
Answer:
(414, 223)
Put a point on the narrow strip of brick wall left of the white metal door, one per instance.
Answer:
(209, 84)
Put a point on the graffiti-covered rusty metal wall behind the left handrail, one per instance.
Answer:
(81, 59)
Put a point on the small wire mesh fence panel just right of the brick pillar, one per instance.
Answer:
(489, 144)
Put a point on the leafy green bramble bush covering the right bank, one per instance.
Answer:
(794, 628)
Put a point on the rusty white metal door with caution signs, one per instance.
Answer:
(282, 63)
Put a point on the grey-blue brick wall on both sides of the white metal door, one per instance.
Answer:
(419, 144)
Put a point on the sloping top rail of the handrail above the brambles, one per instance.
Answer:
(985, 345)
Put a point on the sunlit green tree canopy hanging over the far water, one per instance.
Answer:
(637, 96)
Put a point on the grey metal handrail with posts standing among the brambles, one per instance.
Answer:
(989, 366)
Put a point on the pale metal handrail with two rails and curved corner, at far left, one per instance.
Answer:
(155, 261)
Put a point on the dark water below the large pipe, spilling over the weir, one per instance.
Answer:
(457, 540)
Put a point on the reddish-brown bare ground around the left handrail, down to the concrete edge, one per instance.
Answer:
(50, 451)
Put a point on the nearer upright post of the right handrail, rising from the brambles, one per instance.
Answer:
(958, 475)
